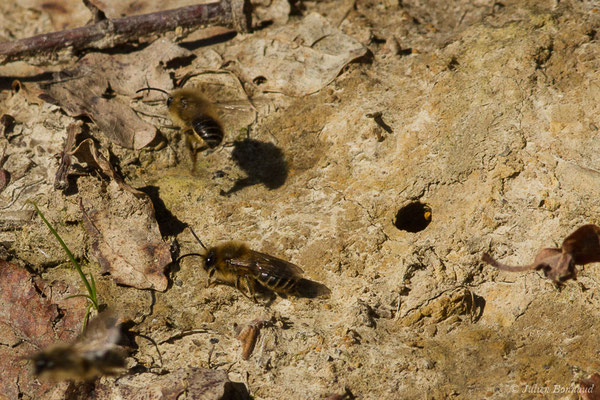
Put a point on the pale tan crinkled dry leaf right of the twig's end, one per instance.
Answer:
(297, 59)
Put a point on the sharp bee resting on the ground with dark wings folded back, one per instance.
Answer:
(234, 263)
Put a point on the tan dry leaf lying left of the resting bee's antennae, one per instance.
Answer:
(126, 240)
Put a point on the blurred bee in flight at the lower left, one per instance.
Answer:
(91, 355)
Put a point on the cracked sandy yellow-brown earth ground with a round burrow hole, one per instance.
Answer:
(480, 117)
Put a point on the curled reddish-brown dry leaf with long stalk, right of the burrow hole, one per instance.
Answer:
(579, 248)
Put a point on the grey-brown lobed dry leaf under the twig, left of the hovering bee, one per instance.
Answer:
(82, 90)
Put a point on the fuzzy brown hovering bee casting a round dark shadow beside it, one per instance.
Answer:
(195, 115)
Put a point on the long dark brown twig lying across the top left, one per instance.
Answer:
(109, 33)
